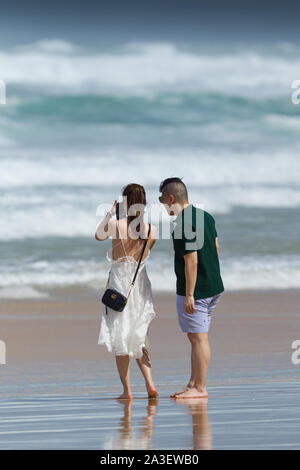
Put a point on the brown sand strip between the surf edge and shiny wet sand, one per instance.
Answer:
(253, 323)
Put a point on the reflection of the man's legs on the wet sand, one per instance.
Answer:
(202, 439)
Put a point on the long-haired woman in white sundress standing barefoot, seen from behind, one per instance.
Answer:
(125, 333)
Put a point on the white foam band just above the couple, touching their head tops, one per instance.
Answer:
(149, 166)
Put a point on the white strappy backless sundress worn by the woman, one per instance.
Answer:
(125, 333)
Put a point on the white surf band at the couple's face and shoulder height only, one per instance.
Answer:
(71, 214)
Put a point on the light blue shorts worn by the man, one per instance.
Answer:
(199, 321)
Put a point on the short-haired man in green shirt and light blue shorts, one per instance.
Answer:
(199, 284)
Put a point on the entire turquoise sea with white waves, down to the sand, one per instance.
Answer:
(88, 120)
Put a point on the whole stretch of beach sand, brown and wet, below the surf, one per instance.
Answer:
(58, 378)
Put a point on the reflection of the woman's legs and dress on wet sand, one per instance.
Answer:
(143, 439)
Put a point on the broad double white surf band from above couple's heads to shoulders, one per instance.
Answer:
(59, 196)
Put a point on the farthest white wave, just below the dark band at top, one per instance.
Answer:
(147, 68)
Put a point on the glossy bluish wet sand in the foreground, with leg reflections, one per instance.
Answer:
(247, 416)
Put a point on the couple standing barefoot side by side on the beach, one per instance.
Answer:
(199, 284)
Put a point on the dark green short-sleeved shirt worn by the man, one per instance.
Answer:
(195, 231)
